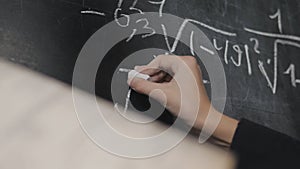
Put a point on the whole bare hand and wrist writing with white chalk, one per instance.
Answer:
(185, 95)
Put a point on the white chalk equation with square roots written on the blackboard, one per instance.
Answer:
(241, 51)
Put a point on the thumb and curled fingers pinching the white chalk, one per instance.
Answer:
(161, 70)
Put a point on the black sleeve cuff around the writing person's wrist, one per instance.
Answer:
(258, 147)
